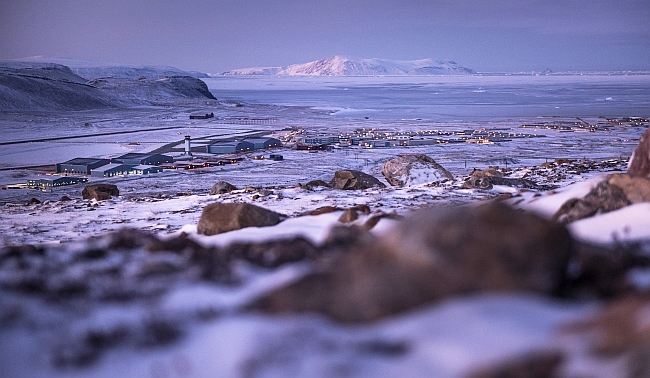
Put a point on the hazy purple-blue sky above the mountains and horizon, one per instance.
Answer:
(218, 35)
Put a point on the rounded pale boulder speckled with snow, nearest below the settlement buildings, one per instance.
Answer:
(414, 169)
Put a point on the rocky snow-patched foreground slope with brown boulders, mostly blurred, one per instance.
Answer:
(498, 289)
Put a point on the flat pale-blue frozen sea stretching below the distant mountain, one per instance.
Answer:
(448, 98)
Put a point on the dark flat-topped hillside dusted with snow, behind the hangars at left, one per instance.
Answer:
(43, 86)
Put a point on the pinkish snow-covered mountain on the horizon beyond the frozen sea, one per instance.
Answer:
(342, 66)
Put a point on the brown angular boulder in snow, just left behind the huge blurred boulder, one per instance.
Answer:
(217, 218)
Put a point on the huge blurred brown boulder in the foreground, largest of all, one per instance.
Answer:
(432, 255)
